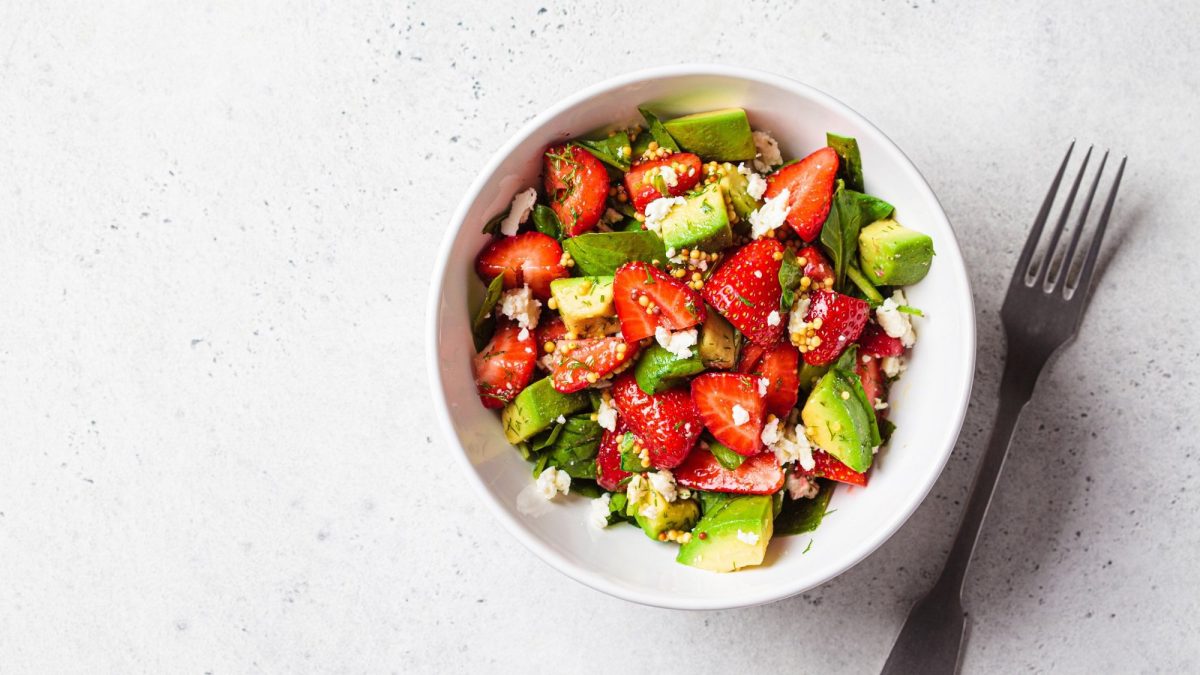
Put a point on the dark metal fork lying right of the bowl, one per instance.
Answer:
(1041, 314)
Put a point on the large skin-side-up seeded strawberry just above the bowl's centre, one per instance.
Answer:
(746, 290)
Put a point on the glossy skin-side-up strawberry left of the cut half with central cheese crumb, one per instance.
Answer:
(668, 422)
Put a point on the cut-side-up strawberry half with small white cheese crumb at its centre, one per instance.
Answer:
(723, 399)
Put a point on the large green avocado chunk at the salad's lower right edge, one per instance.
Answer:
(839, 422)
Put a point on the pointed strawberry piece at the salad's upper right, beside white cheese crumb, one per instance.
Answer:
(809, 184)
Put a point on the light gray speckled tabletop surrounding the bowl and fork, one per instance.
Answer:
(217, 230)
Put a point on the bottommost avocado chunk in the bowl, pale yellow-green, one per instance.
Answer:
(731, 536)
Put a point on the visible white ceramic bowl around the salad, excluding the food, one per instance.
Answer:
(928, 403)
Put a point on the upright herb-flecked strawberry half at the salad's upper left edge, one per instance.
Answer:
(578, 186)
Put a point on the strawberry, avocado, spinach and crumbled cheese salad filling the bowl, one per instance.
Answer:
(695, 332)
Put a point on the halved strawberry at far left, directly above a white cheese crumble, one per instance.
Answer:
(530, 259)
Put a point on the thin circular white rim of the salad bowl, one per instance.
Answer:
(514, 527)
